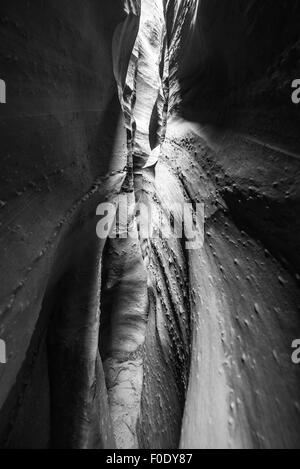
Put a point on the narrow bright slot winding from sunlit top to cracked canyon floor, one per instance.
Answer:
(124, 302)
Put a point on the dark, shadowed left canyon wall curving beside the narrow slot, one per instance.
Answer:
(64, 150)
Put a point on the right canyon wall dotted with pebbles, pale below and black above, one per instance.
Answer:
(232, 142)
